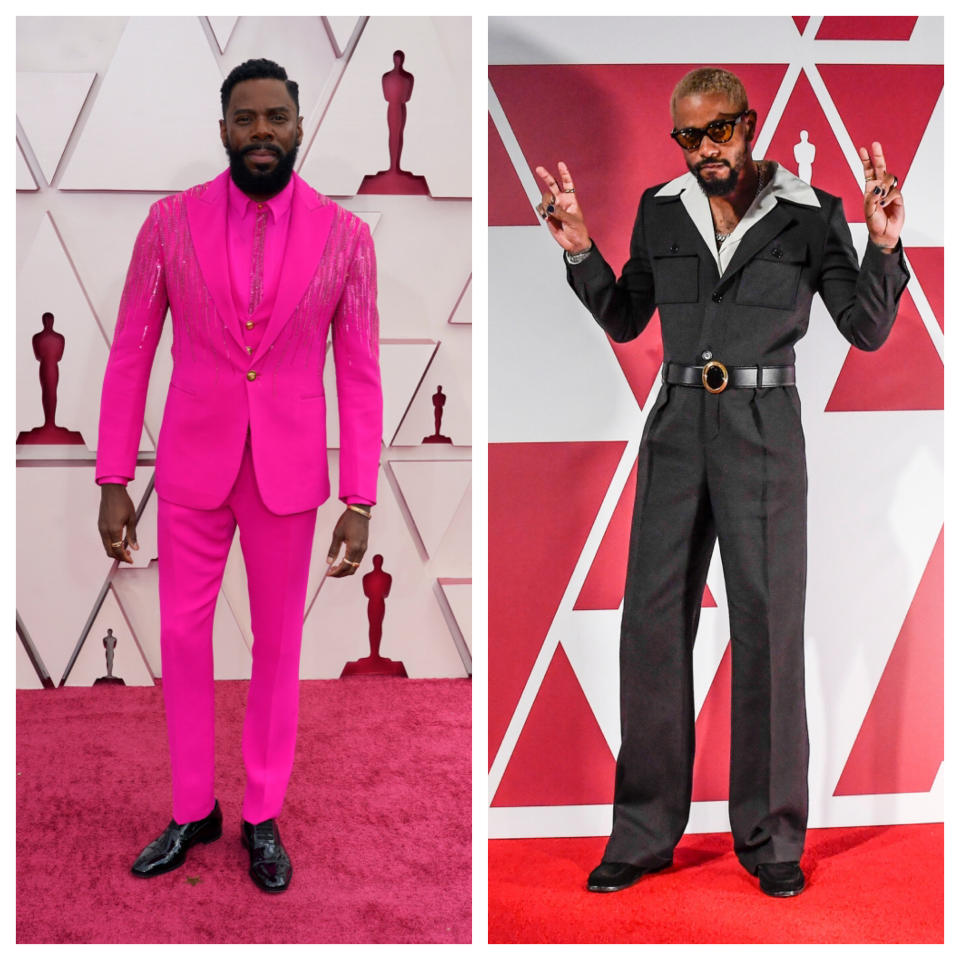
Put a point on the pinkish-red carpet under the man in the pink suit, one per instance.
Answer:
(377, 820)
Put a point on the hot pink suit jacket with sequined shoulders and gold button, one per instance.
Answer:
(218, 390)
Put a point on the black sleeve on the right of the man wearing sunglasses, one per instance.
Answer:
(862, 301)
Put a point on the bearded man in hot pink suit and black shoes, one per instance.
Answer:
(256, 268)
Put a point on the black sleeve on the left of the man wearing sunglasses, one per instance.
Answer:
(622, 307)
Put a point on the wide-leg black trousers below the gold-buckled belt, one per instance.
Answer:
(728, 467)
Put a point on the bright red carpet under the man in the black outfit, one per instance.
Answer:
(864, 885)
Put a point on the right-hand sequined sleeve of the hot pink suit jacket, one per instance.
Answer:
(356, 350)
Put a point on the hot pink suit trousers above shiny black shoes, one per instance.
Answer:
(193, 548)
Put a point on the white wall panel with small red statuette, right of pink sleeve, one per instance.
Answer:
(450, 369)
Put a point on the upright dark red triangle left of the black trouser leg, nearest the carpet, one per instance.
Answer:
(561, 756)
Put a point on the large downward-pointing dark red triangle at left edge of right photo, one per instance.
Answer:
(543, 499)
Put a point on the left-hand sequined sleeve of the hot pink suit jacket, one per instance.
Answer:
(143, 307)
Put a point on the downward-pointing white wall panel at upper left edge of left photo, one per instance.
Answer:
(48, 105)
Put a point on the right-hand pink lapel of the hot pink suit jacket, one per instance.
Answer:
(310, 222)
